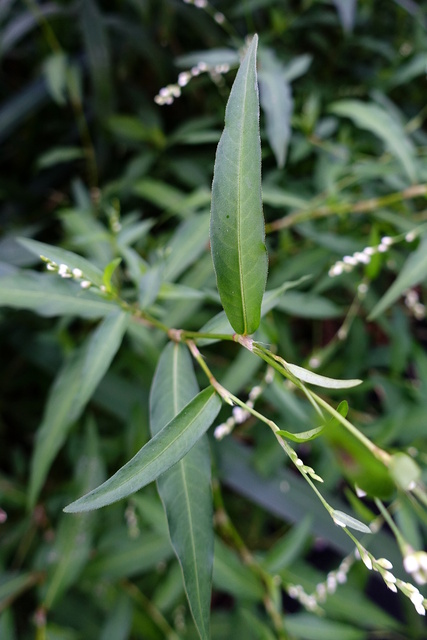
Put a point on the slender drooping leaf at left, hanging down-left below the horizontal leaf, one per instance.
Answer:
(72, 389)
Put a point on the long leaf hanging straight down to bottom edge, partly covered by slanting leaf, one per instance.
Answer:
(186, 488)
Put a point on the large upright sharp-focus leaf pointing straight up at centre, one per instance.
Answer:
(237, 223)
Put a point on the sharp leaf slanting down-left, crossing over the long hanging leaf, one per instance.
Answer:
(161, 452)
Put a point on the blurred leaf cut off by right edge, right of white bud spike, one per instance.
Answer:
(413, 272)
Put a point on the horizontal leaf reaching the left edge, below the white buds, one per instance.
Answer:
(50, 295)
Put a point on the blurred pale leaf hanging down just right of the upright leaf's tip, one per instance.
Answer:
(276, 102)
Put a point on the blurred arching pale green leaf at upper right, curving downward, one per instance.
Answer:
(379, 122)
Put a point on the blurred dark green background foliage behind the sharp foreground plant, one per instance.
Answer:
(92, 161)
